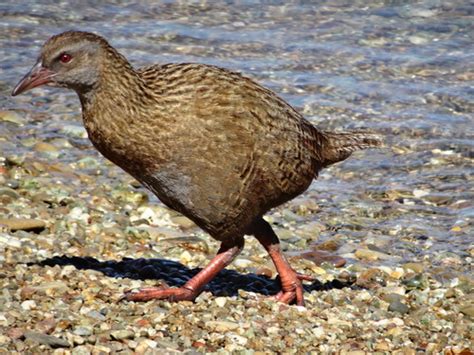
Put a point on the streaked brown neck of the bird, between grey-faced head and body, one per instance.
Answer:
(113, 109)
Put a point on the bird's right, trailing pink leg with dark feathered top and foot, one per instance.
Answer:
(292, 289)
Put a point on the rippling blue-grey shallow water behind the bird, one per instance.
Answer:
(402, 69)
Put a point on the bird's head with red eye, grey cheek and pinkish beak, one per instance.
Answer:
(70, 59)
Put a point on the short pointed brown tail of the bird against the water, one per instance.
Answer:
(338, 146)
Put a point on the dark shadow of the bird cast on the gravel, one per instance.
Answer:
(226, 283)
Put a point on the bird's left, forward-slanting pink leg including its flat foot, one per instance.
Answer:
(191, 289)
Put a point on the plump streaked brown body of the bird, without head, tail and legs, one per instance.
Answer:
(212, 144)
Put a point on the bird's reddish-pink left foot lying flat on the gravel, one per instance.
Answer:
(161, 293)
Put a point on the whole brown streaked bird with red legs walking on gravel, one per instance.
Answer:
(210, 143)
